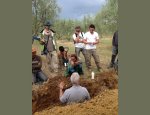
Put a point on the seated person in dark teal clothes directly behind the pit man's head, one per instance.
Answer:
(73, 66)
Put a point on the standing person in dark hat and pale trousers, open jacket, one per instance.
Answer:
(47, 38)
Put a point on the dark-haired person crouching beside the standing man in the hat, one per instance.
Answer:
(63, 56)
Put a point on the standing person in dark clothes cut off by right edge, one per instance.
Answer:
(114, 49)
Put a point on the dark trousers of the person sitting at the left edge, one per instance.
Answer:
(38, 77)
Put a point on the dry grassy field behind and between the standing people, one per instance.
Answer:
(103, 50)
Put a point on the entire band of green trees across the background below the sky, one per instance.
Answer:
(105, 20)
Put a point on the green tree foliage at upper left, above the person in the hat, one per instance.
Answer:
(43, 10)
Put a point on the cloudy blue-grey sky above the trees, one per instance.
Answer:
(77, 9)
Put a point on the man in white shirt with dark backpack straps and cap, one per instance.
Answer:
(78, 38)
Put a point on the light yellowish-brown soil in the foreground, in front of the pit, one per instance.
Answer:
(105, 103)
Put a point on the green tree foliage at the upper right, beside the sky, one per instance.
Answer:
(107, 19)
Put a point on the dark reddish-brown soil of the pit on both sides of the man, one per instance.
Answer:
(47, 95)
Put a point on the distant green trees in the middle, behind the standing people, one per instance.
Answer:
(65, 28)
